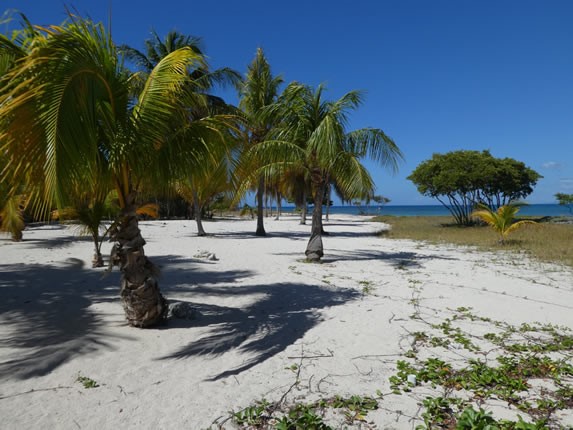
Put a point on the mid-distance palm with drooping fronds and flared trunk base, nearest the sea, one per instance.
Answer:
(314, 138)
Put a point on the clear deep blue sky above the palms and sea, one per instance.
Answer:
(439, 75)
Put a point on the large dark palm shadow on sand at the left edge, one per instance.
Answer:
(47, 318)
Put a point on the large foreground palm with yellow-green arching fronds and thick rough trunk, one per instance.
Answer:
(66, 117)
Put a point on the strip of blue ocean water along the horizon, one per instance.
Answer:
(437, 210)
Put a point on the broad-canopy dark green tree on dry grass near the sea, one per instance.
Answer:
(460, 180)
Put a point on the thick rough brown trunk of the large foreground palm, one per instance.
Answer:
(143, 303)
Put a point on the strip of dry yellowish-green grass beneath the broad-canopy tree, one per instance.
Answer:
(548, 240)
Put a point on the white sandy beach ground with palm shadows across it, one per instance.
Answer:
(262, 310)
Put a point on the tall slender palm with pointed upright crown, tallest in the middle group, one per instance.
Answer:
(257, 92)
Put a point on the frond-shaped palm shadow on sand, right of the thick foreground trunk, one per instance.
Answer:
(283, 315)
